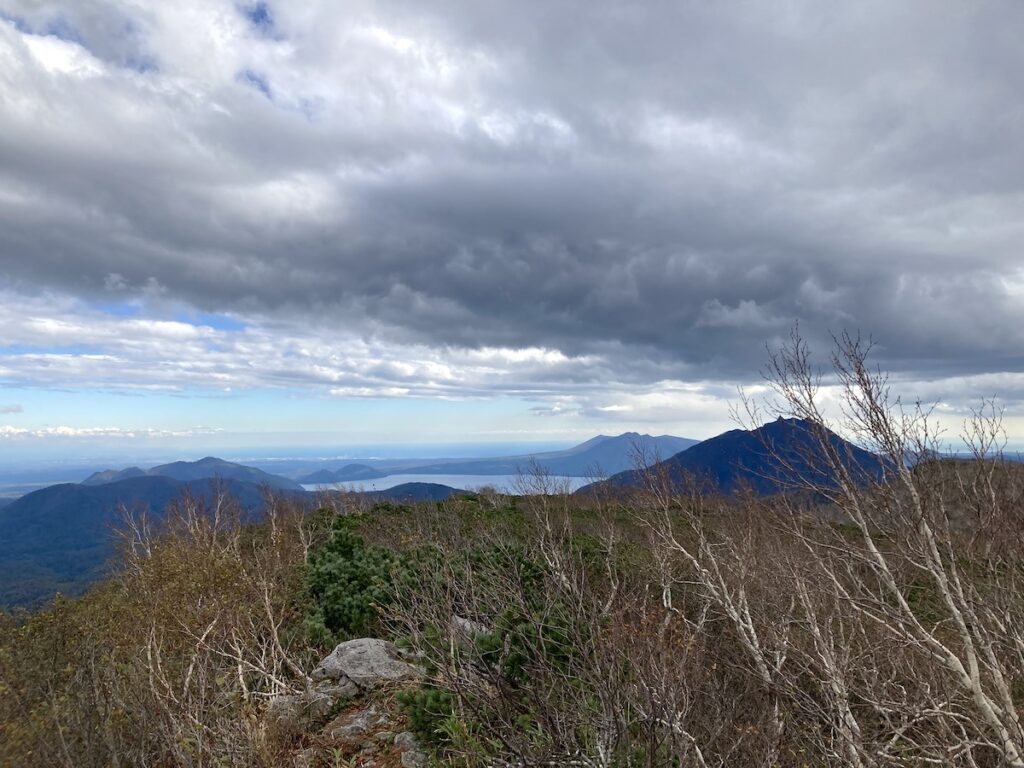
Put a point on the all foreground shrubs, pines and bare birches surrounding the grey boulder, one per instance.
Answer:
(841, 624)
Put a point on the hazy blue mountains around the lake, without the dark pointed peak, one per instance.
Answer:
(60, 538)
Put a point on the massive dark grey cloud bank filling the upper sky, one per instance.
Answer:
(669, 186)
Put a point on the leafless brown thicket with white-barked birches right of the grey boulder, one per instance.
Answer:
(869, 616)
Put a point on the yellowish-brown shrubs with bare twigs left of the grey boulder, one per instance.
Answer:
(173, 661)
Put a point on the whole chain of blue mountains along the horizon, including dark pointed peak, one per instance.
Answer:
(60, 538)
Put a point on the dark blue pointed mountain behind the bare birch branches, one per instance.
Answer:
(780, 456)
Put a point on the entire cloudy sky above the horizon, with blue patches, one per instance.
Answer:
(280, 225)
